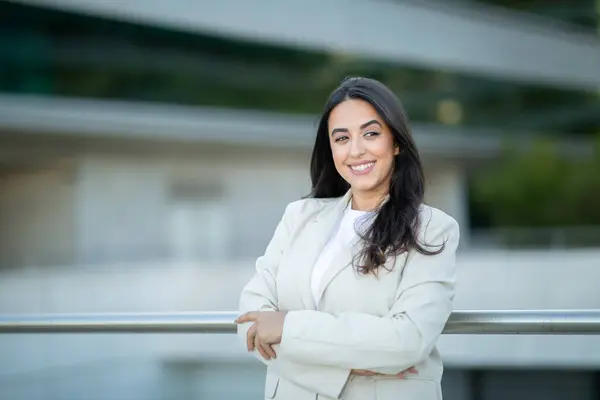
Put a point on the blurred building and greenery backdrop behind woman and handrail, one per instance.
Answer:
(149, 148)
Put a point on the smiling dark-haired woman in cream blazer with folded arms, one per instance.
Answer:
(356, 285)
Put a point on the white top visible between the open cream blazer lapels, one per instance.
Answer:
(343, 234)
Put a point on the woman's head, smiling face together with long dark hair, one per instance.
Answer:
(365, 124)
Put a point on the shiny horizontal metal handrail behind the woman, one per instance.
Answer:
(537, 322)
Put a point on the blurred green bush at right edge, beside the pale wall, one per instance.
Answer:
(540, 188)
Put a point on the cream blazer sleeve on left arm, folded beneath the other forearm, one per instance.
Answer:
(260, 294)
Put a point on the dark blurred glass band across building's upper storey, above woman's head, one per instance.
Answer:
(57, 53)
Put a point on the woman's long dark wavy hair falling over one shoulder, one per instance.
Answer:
(393, 230)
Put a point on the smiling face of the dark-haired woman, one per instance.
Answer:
(362, 146)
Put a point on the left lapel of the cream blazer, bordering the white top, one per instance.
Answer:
(313, 242)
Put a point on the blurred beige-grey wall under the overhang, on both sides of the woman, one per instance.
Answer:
(212, 204)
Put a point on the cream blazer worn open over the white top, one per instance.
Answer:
(385, 324)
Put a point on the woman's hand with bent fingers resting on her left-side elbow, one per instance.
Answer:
(266, 331)
